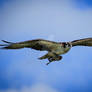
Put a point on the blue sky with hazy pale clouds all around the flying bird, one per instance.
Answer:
(57, 20)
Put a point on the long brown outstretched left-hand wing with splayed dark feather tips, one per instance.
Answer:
(38, 44)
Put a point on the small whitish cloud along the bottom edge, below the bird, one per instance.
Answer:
(34, 88)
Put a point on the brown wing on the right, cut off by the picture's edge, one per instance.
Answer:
(82, 42)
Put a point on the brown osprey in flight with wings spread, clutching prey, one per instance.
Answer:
(55, 49)
